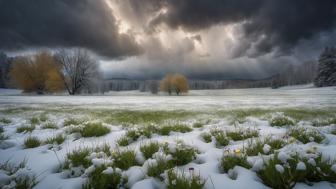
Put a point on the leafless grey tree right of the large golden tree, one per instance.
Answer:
(79, 69)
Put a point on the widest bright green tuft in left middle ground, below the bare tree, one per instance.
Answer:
(94, 130)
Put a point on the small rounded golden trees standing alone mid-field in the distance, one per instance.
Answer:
(176, 83)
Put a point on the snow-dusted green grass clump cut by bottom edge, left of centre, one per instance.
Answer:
(104, 177)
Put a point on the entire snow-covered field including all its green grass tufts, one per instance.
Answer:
(274, 137)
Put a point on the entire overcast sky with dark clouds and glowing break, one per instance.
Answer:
(205, 39)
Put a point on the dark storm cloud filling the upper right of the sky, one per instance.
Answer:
(268, 25)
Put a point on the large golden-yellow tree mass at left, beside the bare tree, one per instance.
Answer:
(39, 73)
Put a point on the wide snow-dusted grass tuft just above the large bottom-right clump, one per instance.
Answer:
(306, 135)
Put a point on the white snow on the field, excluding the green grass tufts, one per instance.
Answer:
(44, 160)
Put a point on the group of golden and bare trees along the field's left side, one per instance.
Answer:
(71, 70)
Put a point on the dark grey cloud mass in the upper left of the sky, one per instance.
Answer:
(63, 23)
